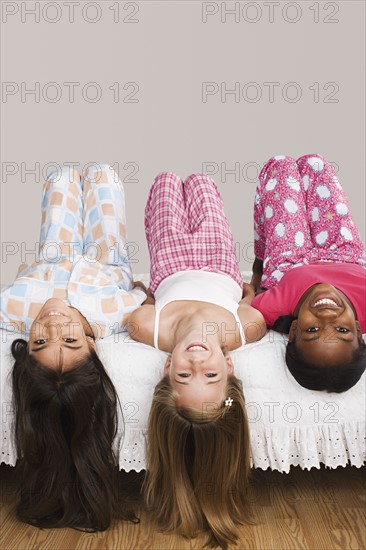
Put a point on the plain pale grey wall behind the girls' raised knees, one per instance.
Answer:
(145, 86)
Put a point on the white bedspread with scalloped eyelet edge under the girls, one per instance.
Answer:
(289, 425)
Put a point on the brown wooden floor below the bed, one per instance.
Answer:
(316, 509)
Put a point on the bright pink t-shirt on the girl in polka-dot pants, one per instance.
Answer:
(283, 299)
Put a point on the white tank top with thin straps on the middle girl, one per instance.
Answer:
(201, 286)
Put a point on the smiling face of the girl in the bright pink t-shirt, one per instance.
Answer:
(326, 331)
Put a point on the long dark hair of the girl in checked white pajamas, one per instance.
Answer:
(65, 424)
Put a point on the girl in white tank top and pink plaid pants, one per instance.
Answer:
(198, 438)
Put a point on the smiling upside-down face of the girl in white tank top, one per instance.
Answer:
(199, 372)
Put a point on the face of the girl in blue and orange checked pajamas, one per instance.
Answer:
(58, 336)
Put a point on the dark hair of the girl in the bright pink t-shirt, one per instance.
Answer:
(319, 377)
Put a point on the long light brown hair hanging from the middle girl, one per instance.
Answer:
(198, 464)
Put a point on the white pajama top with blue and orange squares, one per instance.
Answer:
(92, 288)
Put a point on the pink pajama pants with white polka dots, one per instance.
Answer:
(302, 216)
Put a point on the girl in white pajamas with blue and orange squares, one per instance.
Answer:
(79, 289)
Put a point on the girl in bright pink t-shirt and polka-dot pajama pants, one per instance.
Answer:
(310, 269)
